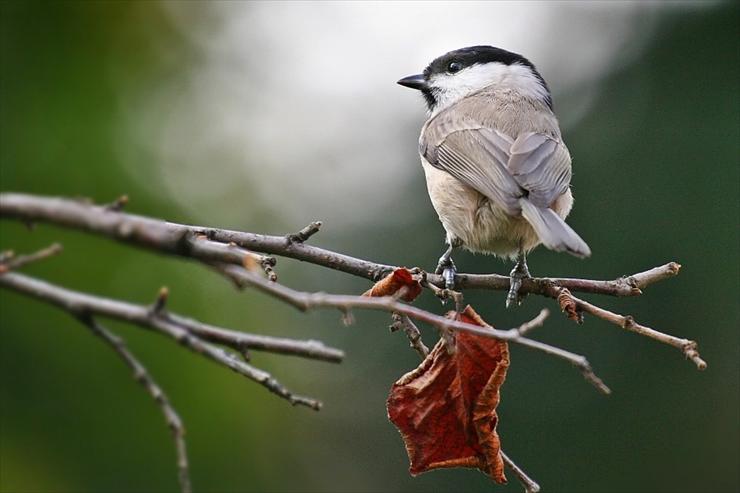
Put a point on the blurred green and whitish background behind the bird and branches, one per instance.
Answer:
(265, 116)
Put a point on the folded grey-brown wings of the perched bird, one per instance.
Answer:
(535, 165)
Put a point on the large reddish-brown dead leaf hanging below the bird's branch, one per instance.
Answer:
(445, 409)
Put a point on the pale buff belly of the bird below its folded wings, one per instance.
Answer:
(481, 226)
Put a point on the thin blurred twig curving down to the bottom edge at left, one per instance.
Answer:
(144, 378)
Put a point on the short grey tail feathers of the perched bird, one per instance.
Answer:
(554, 233)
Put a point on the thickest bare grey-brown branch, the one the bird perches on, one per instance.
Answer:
(173, 238)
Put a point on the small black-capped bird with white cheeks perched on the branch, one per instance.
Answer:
(497, 170)
